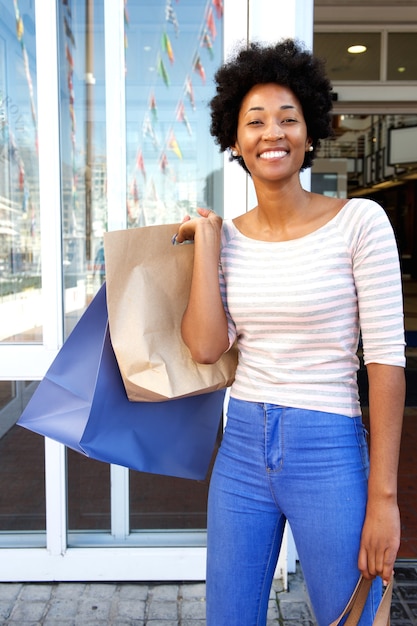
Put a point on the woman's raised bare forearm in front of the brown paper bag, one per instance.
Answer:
(204, 325)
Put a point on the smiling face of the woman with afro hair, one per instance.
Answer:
(272, 133)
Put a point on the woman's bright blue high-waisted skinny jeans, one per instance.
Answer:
(277, 463)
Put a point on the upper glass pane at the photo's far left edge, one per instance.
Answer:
(20, 272)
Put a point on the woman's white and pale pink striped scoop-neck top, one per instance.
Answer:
(297, 309)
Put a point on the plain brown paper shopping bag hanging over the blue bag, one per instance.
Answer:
(148, 284)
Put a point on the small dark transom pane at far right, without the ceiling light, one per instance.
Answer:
(402, 56)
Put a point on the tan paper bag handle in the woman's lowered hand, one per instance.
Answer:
(357, 601)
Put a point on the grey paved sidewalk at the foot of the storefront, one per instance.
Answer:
(142, 604)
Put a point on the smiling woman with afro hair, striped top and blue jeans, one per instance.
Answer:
(294, 281)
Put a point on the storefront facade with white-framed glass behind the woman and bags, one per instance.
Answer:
(103, 126)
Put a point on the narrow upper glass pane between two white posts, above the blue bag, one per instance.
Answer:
(83, 148)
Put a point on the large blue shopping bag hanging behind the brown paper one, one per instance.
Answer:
(81, 402)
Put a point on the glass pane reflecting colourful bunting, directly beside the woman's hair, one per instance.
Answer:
(173, 166)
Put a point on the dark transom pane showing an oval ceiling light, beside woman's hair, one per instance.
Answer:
(344, 65)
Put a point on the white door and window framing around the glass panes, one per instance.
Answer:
(118, 555)
